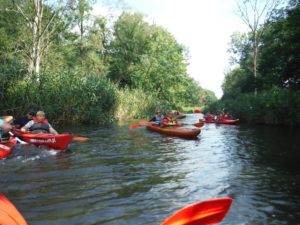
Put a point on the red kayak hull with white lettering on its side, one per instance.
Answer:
(57, 142)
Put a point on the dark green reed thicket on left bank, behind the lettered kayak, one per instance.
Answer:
(68, 96)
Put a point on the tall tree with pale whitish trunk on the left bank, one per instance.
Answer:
(36, 23)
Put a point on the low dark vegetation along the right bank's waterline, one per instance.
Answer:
(276, 106)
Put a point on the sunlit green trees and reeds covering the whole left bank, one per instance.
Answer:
(67, 62)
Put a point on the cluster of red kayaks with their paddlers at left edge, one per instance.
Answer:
(33, 129)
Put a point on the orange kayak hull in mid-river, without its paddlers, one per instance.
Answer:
(175, 131)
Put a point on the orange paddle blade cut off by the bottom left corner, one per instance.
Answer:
(9, 215)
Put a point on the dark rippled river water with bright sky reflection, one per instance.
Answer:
(123, 176)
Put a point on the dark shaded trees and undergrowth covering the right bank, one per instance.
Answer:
(278, 80)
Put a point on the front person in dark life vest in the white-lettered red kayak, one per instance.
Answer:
(39, 124)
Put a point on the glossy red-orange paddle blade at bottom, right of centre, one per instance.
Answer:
(201, 213)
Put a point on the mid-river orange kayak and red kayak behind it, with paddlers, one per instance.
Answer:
(170, 126)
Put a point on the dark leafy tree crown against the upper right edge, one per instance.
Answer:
(280, 50)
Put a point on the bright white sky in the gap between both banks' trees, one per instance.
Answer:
(203, 26)
